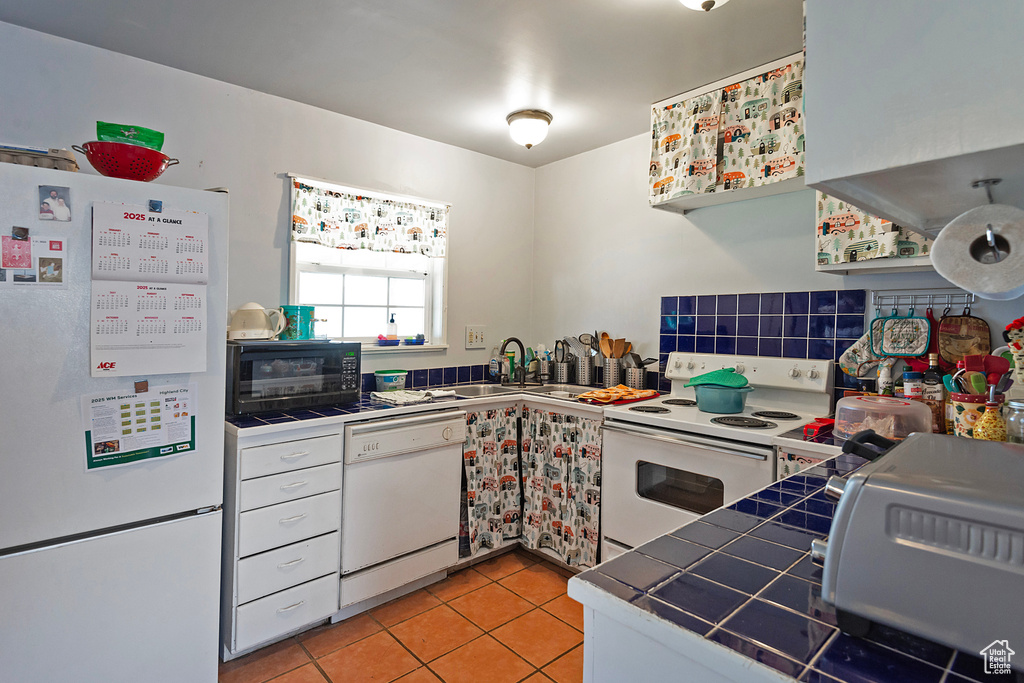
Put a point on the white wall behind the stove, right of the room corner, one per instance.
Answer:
(604, 258)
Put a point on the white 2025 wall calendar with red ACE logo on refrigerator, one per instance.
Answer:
(150, 274)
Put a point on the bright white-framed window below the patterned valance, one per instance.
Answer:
(357, 292)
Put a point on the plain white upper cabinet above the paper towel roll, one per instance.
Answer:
(909, 103)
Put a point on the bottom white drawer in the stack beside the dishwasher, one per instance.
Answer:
(269, 618)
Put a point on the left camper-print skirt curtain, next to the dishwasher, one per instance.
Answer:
(491, 459)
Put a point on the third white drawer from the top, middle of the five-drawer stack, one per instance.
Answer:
(288, 523)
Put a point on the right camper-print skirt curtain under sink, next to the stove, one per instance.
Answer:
(562, 459)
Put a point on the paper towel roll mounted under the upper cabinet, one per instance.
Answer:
(962, 253)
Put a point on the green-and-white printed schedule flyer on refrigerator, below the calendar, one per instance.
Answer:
(123, 429)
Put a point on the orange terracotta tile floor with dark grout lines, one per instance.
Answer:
(504, 621)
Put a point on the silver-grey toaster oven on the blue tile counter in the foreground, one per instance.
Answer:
(929, 539)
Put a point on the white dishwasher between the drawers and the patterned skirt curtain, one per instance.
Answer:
(400, 518)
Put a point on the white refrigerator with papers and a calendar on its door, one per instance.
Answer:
(109, 574)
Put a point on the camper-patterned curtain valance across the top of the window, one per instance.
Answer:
(348, 219)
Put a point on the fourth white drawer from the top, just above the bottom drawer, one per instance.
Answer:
(277, 570)
